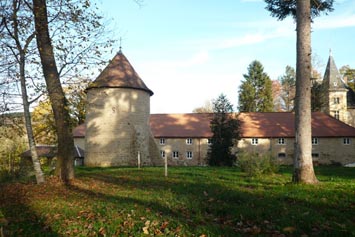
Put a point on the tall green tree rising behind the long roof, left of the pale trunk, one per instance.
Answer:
(255, 93)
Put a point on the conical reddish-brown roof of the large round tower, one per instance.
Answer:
(119, 73)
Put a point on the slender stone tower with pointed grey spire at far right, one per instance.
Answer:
(335, 92)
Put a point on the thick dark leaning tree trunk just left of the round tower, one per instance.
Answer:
(65, 156)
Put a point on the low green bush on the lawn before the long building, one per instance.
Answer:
(256, 165)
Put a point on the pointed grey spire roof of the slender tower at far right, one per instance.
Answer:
(332, 78)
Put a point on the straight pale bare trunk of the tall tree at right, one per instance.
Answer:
(303, 166)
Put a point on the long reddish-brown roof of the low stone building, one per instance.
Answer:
(258, 125)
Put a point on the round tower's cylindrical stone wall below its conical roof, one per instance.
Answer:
(117, 127)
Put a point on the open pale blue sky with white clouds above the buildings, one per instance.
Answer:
(191, 51)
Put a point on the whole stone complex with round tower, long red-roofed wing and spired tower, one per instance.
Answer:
(119, 127)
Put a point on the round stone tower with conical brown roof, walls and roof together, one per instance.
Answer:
(117, 117)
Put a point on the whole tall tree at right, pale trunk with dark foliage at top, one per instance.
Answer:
(303, 11)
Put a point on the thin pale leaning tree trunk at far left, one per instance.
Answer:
(26, 109)
